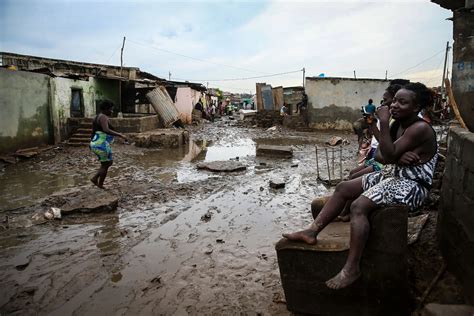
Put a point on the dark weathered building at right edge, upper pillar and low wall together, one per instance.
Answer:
(456, 216)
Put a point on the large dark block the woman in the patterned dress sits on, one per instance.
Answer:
(382, 288)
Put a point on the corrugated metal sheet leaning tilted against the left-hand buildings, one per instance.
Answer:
(163, 105)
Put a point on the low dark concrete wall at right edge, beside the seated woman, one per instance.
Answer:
(456, 213)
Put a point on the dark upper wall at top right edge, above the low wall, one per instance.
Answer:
(463, 64)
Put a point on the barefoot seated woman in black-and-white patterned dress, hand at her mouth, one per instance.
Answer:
(409, 150)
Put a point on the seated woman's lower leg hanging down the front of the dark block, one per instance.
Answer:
(360, 228)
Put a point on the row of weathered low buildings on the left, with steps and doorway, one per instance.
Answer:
(43, 100)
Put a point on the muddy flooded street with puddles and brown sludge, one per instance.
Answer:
(182, 240)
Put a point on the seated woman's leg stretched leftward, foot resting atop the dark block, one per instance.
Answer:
(345, 191)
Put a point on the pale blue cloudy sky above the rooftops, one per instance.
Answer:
(208, 41)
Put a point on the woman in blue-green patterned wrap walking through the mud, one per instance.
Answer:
(102, 136)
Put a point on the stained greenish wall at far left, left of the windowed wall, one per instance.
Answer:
(24, 110)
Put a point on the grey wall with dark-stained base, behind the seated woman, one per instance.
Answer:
(334, 103)
